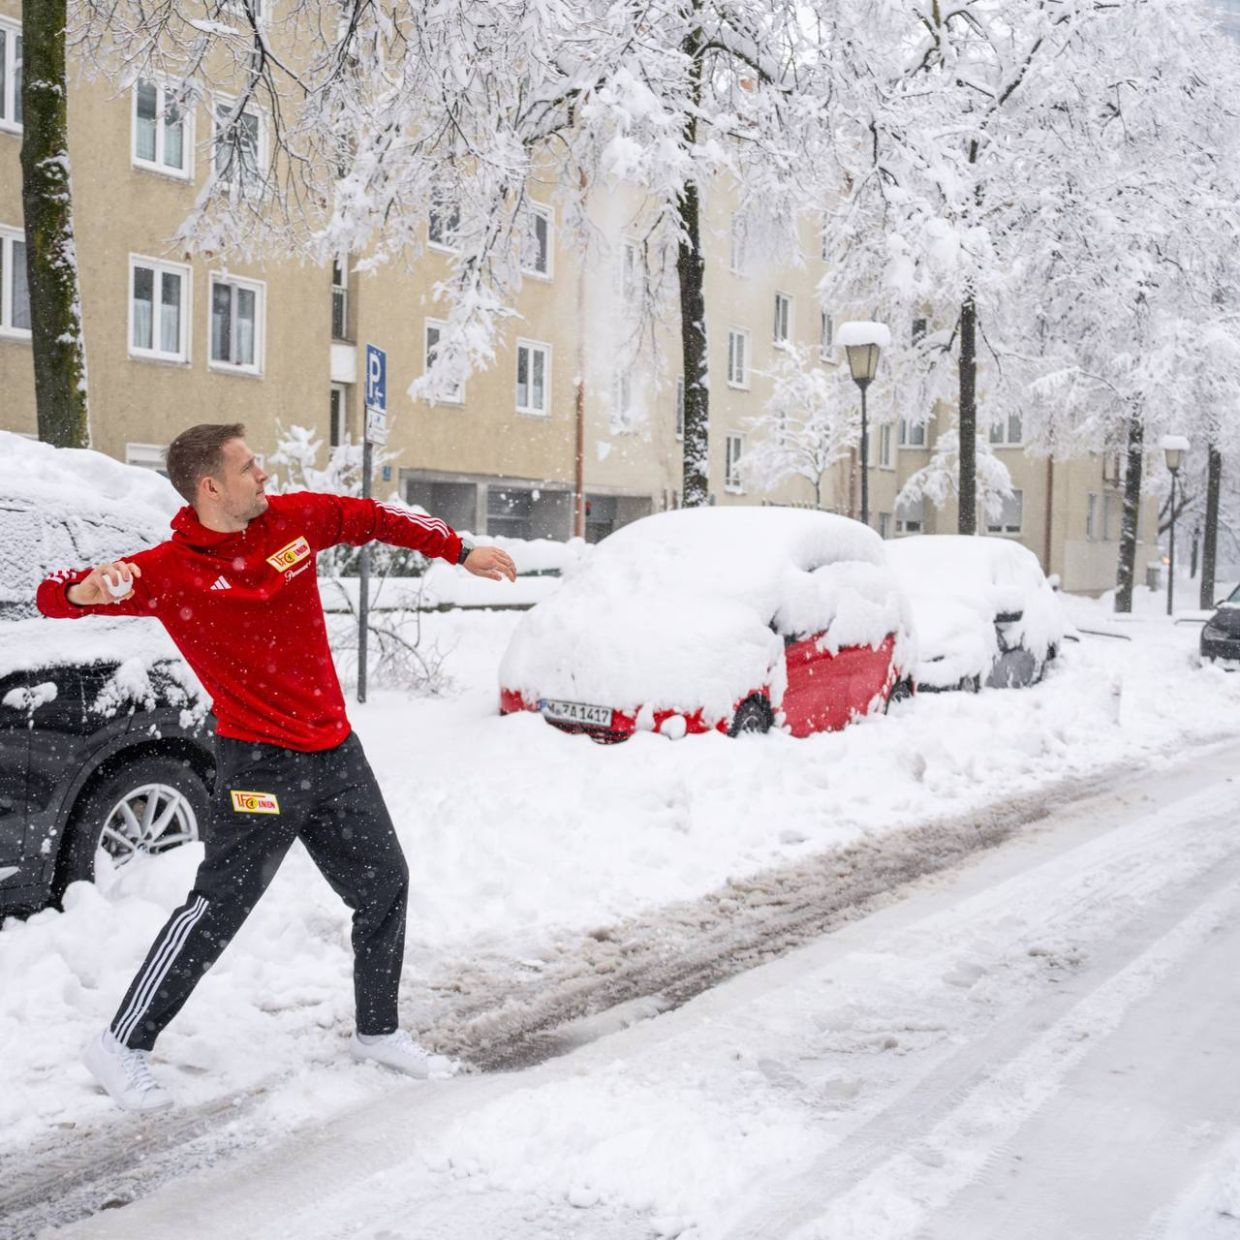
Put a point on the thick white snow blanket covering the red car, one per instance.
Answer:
(689, 609)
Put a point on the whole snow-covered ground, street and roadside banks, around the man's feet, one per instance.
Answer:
(1020, 1025)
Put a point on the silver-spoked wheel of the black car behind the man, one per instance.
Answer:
(144, 808)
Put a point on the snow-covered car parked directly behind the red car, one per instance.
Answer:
(984, 611)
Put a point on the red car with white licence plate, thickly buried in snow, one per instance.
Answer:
(716, 619)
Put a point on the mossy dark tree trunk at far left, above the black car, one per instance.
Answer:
(58, 343)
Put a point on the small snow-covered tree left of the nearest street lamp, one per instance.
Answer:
(810, 423)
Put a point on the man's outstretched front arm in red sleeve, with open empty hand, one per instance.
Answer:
(342, 519)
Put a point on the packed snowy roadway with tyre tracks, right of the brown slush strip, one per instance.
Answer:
(1040, 1041)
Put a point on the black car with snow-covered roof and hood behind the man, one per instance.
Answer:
(105, 748)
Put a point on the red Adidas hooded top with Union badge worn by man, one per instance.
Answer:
(245, 609)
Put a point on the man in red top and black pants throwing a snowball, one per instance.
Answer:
(235, 587)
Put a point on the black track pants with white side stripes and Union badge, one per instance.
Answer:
(265, 799)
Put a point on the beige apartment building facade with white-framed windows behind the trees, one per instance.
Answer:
(174, 339)
